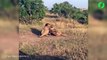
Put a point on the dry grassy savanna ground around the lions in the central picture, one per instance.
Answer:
(70, 47)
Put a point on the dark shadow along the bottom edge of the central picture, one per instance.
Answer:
(24, 56)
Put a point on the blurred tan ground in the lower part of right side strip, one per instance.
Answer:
(97, 39)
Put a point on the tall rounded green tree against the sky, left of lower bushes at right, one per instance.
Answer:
(63, 9)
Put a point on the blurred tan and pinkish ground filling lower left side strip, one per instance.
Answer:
(8, 39)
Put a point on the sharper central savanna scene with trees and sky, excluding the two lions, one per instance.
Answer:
(68, 16)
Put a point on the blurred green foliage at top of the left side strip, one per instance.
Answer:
(8, 9)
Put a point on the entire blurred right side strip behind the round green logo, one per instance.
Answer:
(97, 30)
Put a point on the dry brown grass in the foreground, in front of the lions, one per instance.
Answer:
(73, 47)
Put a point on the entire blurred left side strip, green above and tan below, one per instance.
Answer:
(8, 30)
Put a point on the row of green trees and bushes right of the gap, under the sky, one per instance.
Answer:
(66, 10)
